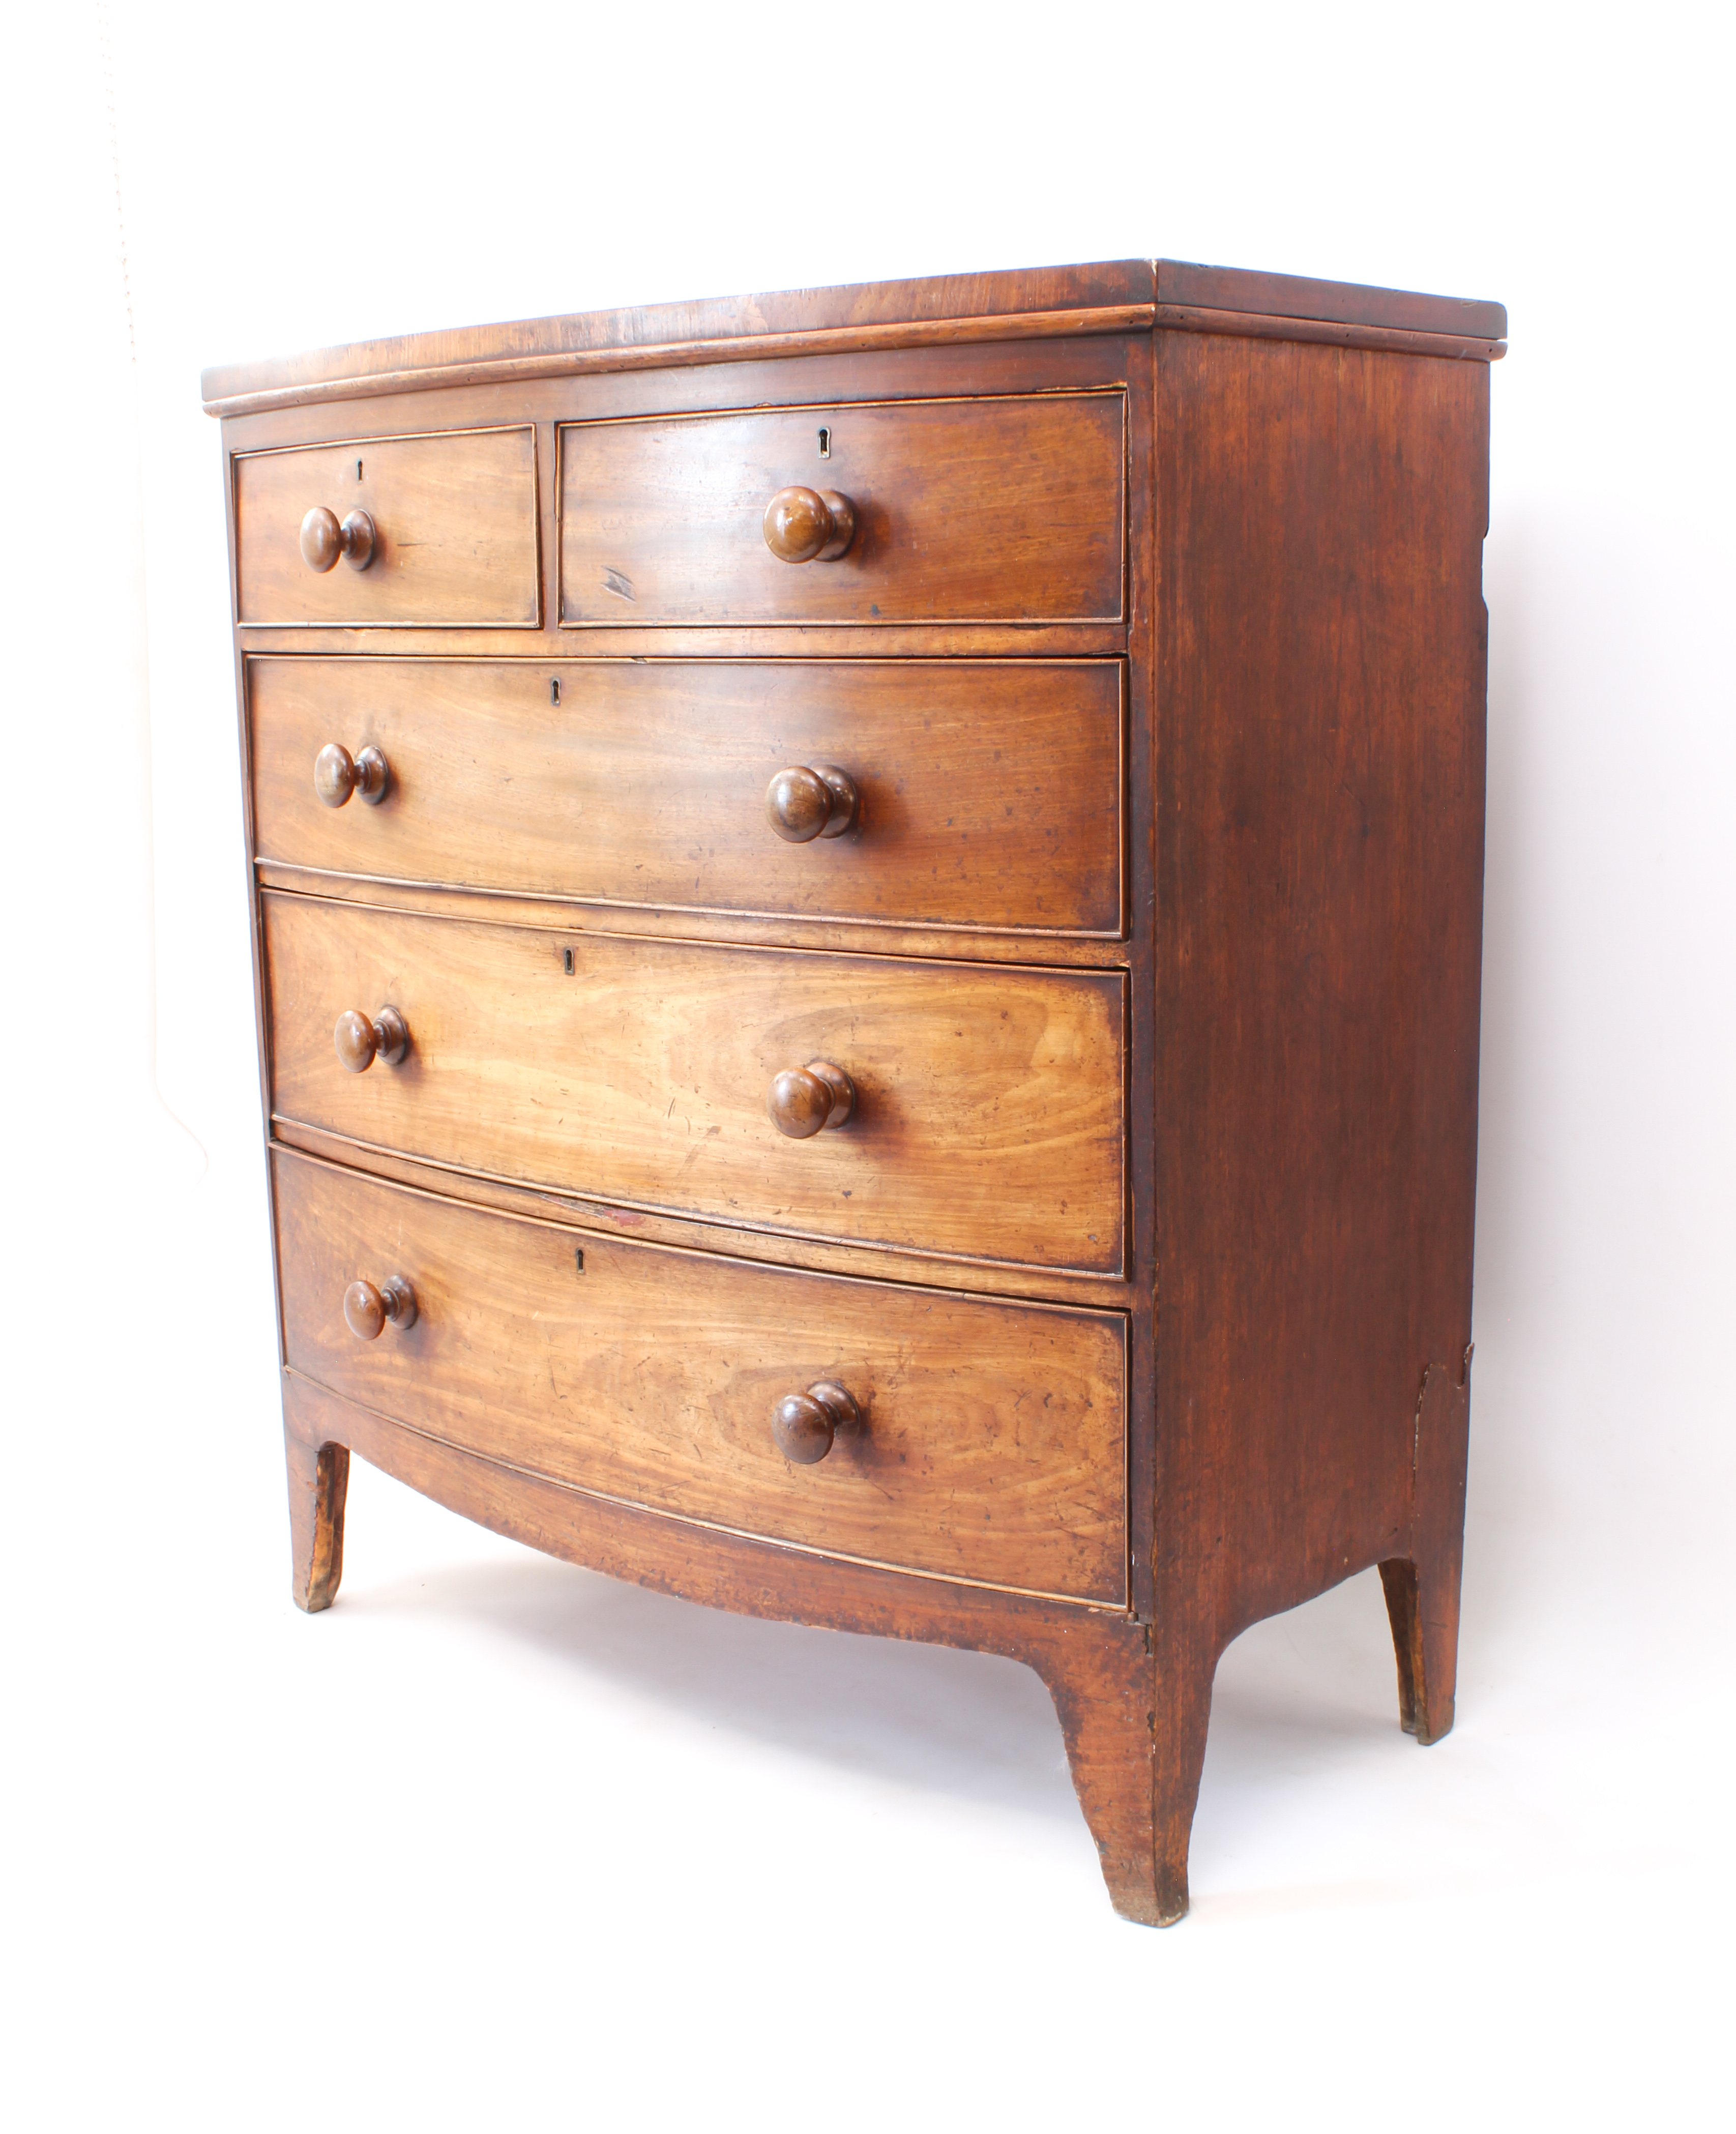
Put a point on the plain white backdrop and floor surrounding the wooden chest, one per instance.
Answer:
(500, 1843)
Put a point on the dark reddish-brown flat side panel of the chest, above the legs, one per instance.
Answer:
(1321, 761)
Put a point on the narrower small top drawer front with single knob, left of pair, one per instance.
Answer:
(455, 532)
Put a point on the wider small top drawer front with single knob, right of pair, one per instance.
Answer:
(995, 511)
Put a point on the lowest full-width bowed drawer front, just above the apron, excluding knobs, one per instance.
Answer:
(991, 1442)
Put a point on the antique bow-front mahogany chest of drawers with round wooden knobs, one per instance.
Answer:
(867, 929)
